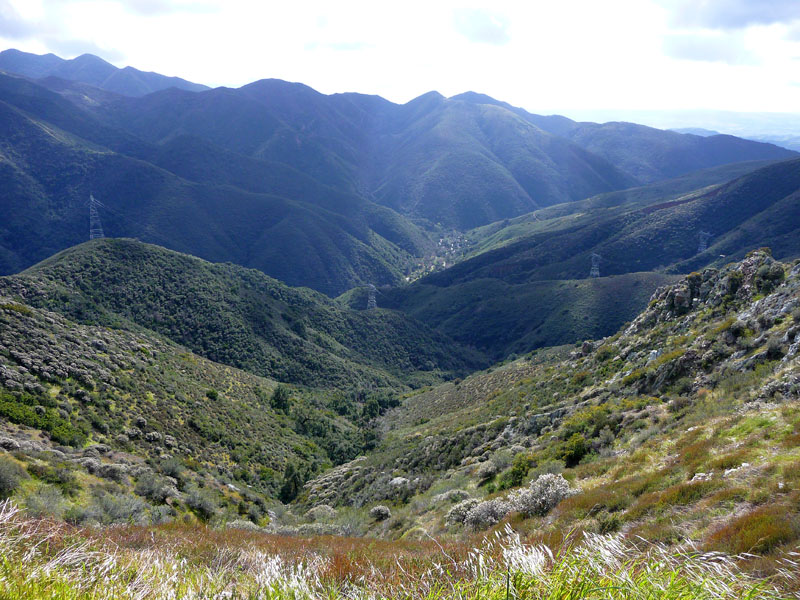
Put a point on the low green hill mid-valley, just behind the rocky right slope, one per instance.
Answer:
(502, 318)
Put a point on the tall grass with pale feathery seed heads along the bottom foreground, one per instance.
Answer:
(47, 560)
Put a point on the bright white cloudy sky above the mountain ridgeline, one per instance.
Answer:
(543, 55)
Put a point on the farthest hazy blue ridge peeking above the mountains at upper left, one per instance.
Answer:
(91, 70)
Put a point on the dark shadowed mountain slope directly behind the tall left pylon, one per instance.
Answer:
(188, 195)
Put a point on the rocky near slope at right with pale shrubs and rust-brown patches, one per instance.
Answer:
(681, 427)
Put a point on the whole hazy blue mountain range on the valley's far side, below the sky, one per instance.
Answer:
(326, 191)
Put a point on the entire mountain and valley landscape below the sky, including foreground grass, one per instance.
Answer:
(329, 340)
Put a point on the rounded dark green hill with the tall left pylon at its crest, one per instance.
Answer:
(238, 316)
